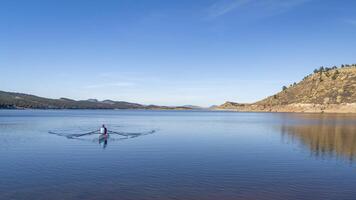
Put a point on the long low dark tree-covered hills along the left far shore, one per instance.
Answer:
(11, 100)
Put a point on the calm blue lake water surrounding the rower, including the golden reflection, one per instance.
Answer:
(188, 155)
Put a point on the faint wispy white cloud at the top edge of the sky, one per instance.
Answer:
(262, 7)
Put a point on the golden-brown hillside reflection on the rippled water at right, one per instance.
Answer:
(324, 139)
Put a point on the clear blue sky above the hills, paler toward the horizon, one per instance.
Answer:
(199, 52)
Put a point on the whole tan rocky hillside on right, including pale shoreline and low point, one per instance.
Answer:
(326, 90)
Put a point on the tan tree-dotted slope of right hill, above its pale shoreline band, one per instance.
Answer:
(333, 86)
